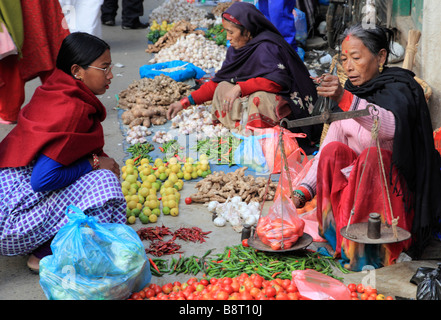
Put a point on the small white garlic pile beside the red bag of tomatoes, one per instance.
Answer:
(236, 212)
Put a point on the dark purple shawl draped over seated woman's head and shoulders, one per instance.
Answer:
(266, 55)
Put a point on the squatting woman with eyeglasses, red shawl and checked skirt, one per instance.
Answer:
(54, 156)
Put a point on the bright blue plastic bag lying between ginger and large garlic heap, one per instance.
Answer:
(177, 70)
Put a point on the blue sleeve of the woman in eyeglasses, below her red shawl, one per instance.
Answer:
(49, 175)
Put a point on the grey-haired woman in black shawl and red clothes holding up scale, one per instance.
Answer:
(348, 175)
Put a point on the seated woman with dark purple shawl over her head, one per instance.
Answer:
(262, 67)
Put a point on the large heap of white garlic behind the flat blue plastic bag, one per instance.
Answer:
(196, 49)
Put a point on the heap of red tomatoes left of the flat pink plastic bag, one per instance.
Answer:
(242, 287)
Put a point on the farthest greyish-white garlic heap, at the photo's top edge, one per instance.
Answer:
(177, 10)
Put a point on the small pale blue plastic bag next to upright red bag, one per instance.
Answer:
(250, 154)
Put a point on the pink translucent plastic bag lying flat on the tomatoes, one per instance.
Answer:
(314, 285)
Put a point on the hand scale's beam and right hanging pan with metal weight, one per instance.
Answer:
(374, 231)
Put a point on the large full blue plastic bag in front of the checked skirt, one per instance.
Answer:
(94, 261)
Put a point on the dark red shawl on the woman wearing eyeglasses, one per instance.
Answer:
(62, 121)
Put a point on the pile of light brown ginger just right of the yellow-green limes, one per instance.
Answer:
(220, 186)
